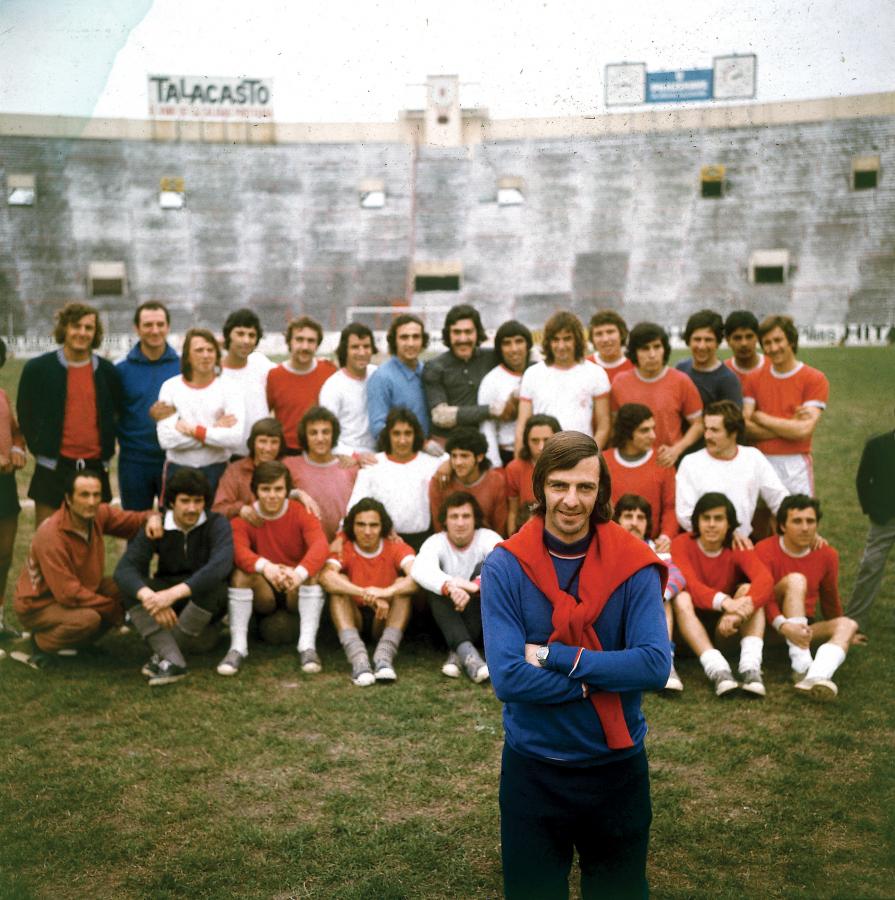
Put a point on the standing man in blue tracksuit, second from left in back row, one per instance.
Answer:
(149, 363)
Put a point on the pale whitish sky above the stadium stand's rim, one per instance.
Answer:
(352, 61)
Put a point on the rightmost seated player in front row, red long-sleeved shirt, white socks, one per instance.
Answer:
(804, 573)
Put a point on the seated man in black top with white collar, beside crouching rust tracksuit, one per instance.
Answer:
(189, 588)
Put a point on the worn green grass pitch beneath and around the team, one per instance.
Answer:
(277, 784)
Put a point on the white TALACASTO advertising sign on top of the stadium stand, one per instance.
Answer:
(207, 97)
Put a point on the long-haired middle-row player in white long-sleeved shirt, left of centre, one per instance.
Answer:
(400, 478)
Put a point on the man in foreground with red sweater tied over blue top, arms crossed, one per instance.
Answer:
(574, 632)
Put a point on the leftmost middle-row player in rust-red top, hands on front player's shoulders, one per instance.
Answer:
(234, 495)
